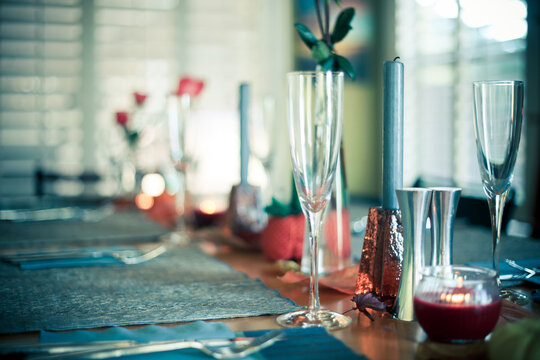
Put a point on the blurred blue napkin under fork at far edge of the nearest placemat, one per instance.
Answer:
(106, 259)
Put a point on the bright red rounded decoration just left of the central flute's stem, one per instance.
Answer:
(283, 237)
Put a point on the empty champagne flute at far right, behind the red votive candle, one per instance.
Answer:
(498, 113)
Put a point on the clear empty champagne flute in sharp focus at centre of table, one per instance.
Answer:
(315, 119)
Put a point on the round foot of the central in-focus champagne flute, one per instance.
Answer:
(312, 318)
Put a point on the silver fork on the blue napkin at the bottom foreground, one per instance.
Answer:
(224, 352)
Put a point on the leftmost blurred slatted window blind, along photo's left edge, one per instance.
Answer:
(40, 88)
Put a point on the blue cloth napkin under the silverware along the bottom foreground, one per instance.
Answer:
(297, 344)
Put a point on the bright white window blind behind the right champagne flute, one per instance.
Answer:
(446, 45)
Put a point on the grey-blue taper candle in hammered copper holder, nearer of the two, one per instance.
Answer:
(392, 132)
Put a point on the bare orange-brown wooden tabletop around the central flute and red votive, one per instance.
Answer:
(384, 338)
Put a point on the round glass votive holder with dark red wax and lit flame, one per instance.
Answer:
(456, 303)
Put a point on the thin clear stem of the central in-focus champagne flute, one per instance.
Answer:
(314, 224)
